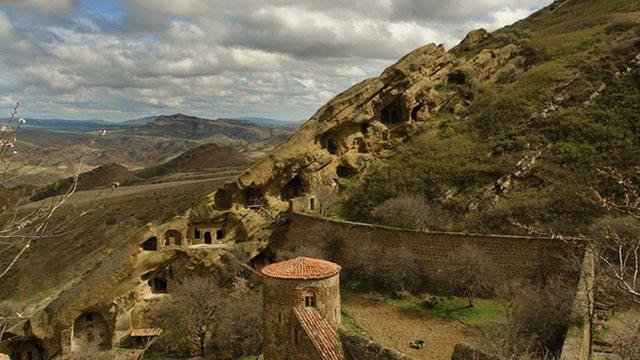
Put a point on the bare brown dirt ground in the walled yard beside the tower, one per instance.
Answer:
(396, 328)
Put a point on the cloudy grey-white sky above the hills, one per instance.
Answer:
(125, 59)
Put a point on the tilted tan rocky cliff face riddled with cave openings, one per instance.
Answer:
(356, 127)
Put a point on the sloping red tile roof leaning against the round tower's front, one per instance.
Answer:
(322, 335)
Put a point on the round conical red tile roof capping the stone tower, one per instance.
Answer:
(302, 268)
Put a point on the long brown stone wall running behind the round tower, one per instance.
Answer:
(366, 246)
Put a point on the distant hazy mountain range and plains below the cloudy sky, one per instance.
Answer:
(55, 146)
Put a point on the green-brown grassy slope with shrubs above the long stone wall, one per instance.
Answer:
(581, 43)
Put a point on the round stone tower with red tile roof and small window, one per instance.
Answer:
(302, 310)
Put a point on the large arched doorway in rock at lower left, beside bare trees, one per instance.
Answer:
(90, 333)
